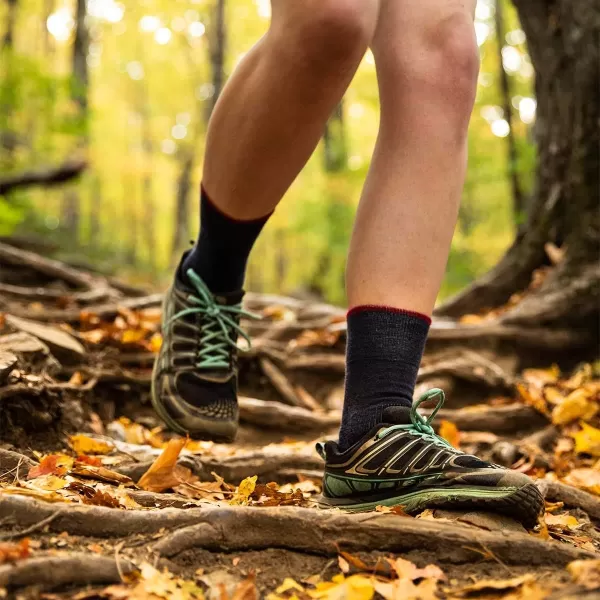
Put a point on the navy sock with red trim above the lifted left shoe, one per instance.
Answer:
(221, 252)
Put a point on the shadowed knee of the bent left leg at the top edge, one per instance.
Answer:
(327, 31)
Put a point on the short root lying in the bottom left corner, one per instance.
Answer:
(71, 569)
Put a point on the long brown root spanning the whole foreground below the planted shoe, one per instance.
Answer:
(319, 532)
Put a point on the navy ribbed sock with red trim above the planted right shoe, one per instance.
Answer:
(383, 354)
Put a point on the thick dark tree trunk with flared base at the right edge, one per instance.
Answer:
(563, 40)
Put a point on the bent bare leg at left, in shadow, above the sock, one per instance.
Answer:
(272, 112)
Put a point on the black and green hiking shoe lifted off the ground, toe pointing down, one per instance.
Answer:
(194, 383)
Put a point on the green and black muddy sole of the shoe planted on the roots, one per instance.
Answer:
(524, 504)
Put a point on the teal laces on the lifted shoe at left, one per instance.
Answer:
(219, 322)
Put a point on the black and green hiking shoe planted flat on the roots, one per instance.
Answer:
(403, 462)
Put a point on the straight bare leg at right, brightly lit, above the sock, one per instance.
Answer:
(427, 64)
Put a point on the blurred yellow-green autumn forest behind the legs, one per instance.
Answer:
(127, 89)
